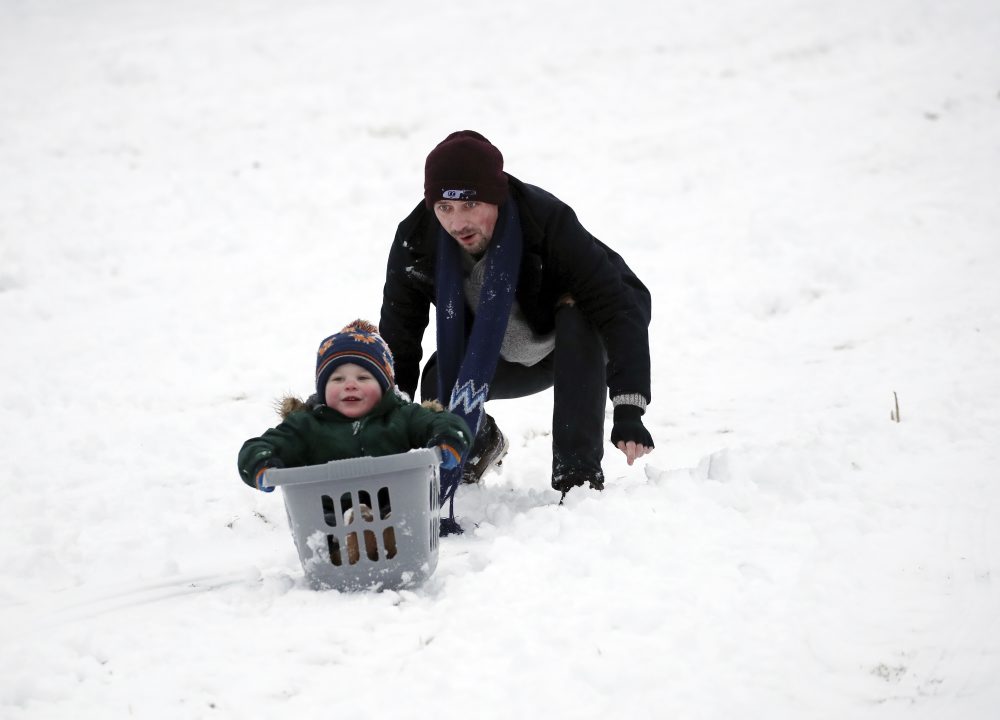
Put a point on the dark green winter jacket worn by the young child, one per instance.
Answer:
(312, 433)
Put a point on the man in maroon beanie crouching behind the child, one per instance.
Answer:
(526, 299)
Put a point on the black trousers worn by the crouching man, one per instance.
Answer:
(576, 372)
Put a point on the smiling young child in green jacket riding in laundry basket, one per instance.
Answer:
(355, 412)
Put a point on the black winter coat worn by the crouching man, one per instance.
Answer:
(560, 257)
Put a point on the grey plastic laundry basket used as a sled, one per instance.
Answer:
(365, 522)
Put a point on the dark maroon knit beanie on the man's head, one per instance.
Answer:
(465, 166)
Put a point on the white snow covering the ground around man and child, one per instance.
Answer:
(193, 194)
